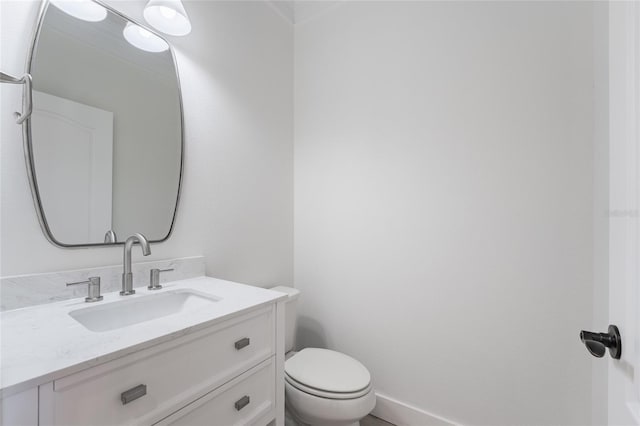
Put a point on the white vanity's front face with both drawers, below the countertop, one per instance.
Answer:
(224, 374)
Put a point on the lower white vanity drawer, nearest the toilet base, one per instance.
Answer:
(248, 399)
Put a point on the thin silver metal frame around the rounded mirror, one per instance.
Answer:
(28, 147)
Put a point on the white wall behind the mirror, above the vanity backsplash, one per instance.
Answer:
(236, 205)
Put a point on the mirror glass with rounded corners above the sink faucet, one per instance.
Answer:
(105, 141)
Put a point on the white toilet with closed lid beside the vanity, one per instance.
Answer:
(323, 387)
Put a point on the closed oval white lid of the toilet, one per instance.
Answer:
(328, 371)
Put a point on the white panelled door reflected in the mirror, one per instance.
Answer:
(74, 157)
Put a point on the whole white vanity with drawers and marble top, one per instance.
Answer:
(218, 363)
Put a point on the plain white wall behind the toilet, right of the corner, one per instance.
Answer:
(444, 202)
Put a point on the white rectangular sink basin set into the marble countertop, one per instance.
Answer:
(124, 313)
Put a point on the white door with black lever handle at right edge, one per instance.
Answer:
(624, 198)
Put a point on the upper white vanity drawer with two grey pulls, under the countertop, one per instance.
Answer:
(174, 373)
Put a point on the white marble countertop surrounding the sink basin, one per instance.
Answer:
(42, 343)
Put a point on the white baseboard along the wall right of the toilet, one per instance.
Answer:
(402, 414)
